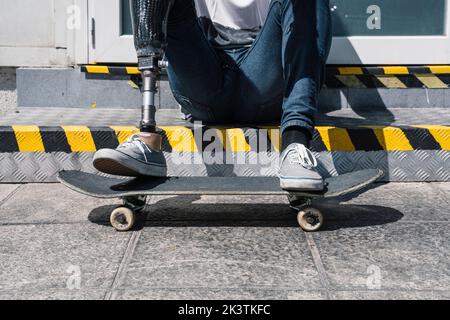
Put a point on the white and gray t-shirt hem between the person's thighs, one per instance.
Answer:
(232, 23)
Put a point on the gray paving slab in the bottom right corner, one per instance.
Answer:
(397, 256)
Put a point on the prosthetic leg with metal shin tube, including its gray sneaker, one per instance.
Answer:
(141, 154)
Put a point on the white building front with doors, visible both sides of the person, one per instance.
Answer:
(76, 32)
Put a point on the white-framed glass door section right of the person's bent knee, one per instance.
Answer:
(390, 32)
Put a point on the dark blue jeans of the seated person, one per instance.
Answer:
(276, 80)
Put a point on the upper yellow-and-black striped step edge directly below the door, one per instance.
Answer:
(391, 77)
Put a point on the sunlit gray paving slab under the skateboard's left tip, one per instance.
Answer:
(50, 203)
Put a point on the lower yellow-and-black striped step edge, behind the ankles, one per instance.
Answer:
(183, 139)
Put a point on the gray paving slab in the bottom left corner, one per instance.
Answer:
(59, 257)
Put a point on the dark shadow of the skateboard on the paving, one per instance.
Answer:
(184, 212)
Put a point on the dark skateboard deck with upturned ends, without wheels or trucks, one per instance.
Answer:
(106, 187)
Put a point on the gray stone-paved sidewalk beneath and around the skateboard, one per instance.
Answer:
(391, 242)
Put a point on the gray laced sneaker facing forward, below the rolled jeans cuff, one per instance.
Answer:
(298, 169)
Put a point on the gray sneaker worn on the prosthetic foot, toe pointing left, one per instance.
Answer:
(132, 158)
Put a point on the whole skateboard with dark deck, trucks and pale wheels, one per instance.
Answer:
(134, 191)
